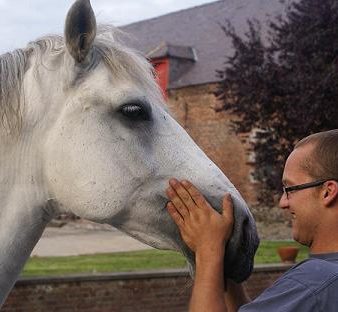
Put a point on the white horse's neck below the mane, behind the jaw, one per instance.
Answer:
(24, 208)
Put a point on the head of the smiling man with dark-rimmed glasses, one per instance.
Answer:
(313, 206)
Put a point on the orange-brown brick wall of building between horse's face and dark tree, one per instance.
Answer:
(193, 108)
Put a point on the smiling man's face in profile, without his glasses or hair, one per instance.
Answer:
(303, 205)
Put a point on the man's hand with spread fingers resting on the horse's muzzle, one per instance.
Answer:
(203, 229)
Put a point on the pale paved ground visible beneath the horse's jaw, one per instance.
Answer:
(82, 237)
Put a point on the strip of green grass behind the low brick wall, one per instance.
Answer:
(136, 261)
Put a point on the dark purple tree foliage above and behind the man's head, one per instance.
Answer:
(284, 85)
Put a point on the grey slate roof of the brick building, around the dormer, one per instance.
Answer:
(198, 31)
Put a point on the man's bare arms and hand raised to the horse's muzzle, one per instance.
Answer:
(206, 233)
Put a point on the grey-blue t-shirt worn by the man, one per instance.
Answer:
(311, 285)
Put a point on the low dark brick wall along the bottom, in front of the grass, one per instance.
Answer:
(161, 291)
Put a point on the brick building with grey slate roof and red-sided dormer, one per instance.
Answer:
(186, 48)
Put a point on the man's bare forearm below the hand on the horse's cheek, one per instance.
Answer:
(208, 290)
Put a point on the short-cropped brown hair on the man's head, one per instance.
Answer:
(322, 163)
